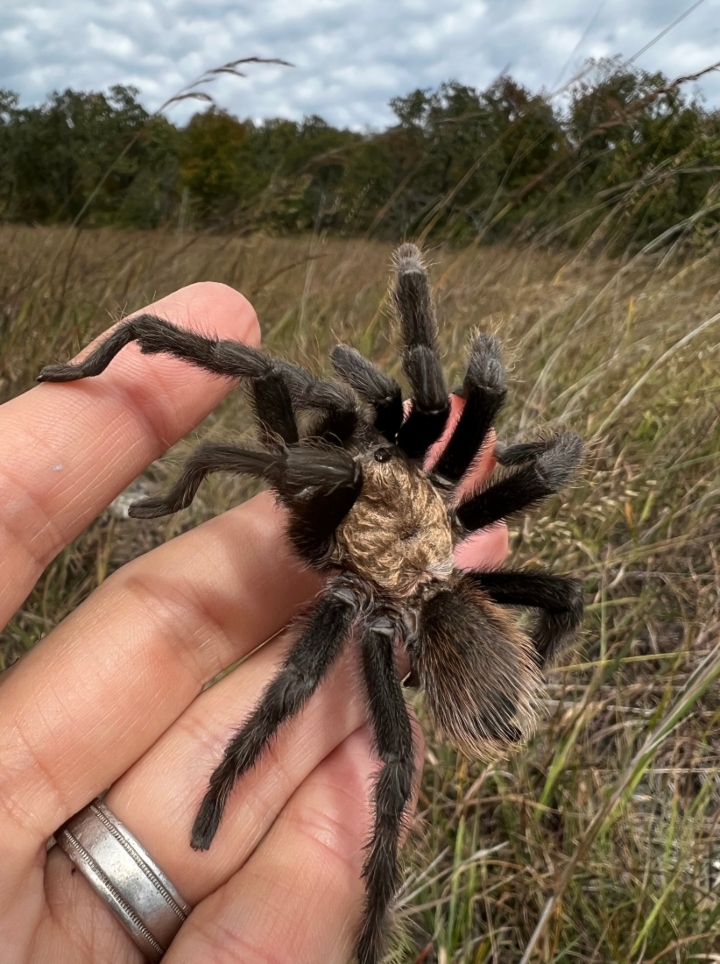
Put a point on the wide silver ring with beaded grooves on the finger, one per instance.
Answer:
(124, 874)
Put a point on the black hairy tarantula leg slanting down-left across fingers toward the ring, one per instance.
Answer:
(303, 670)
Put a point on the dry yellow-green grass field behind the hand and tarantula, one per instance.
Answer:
(597, 842)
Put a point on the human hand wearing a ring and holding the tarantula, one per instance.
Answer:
(113, 696)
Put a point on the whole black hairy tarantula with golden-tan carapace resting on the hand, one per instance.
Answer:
(364, 510)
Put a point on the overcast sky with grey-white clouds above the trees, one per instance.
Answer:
(350, 56)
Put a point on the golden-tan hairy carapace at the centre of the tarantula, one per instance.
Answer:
(397, 534)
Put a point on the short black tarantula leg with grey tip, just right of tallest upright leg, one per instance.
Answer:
(484, 391)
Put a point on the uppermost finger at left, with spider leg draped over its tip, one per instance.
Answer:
(68, 450)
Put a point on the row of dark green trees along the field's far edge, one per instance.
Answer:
(621, 152)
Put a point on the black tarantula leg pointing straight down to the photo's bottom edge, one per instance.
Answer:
(393, 788)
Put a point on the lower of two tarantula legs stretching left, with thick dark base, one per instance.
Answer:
(318, 486)
